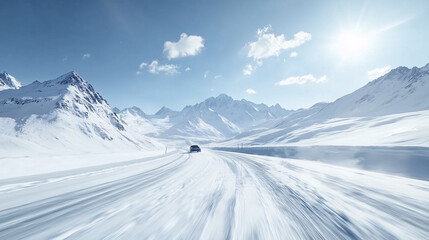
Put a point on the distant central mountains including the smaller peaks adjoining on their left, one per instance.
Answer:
(213, 119)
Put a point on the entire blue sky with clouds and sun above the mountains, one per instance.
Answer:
(295, 53)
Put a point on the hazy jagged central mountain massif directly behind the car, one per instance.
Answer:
(221, 117)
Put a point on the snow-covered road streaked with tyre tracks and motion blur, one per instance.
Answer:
(215, 195)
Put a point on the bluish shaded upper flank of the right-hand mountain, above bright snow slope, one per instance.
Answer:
(401, 90)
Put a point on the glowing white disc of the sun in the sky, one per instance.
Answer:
(352, 44)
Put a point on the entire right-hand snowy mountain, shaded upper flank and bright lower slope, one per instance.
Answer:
(392, 109)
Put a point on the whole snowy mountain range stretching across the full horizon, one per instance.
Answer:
(67, 113)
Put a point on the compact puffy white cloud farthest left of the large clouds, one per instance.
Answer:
(186, 46)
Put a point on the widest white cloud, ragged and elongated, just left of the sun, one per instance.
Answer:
(269, 45)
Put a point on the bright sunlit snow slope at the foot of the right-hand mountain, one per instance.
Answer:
(403, 129)
